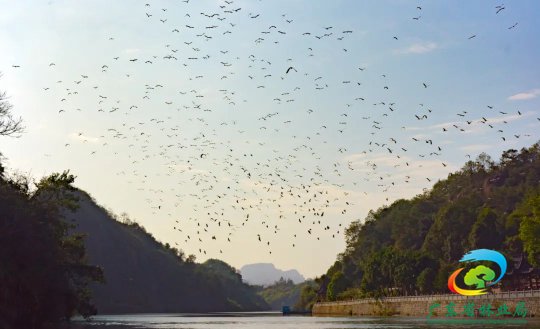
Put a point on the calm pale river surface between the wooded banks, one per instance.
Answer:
(272, 321)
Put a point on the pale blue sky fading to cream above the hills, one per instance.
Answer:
(257, 131)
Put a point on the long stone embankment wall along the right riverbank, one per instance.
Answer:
(419, 306)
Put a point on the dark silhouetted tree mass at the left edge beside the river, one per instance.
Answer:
(43, 270)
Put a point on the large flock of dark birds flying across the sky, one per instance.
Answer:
(196, 140)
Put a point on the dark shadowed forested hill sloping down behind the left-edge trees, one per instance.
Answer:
(142, 275)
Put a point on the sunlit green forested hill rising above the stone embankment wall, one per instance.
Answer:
(411, 246)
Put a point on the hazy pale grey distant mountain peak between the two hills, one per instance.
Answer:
(266, 274)
